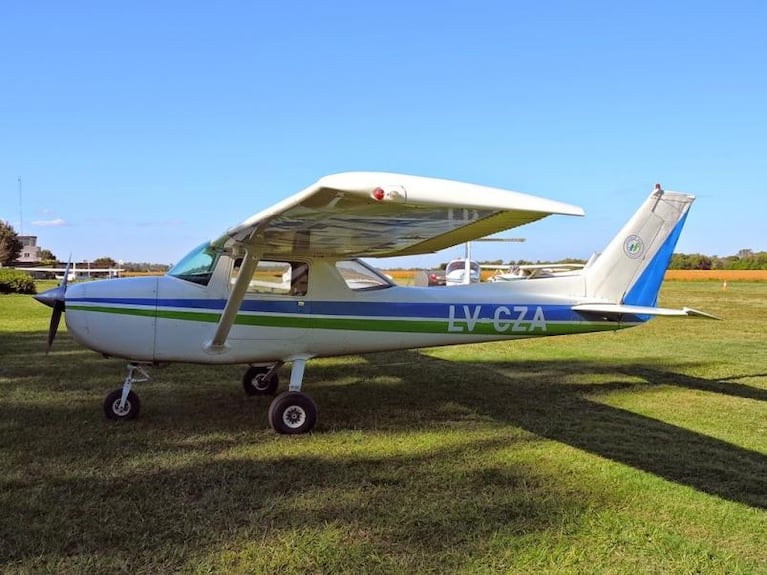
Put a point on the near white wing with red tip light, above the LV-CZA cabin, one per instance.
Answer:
(377, 214)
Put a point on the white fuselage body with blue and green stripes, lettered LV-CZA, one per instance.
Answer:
(167, 319)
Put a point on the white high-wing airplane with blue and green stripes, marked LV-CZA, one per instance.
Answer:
(229, 301)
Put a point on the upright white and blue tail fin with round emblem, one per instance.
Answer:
(631, 268)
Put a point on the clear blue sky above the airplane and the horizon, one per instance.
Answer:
(140, 129)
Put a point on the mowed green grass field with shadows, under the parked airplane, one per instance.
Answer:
(641, 451)
